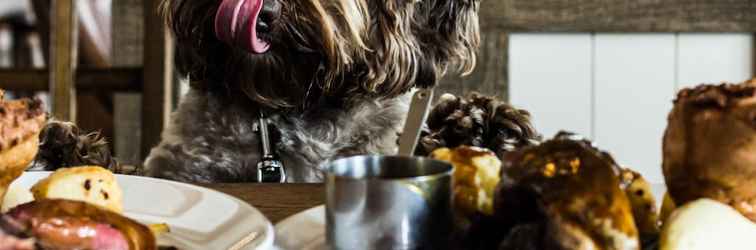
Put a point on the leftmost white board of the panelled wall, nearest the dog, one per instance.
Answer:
(551, 76)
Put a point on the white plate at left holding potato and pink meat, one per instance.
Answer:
(199, 218)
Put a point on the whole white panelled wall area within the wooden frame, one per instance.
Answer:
(618, 88)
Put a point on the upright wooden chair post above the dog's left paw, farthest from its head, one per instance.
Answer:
(64, 48)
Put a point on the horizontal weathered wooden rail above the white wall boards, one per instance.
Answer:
(620, 15)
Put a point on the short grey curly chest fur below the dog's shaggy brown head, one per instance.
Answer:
(208, 141)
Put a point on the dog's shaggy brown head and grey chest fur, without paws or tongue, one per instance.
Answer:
(335, 83)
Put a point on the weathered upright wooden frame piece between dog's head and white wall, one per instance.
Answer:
(490, 76)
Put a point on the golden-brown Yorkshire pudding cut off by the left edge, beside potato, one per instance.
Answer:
(20, 124)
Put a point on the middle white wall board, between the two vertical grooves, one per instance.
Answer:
(635, 82)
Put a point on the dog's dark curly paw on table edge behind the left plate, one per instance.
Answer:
(63, 144)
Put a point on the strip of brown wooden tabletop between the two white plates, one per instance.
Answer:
(276, 201)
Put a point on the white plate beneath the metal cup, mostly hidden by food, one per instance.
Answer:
(306, 230)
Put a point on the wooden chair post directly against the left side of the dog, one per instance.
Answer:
(158, 77)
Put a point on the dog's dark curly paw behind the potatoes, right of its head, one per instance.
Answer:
(477, 120)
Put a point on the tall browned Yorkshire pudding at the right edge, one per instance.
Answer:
(709, 146)
